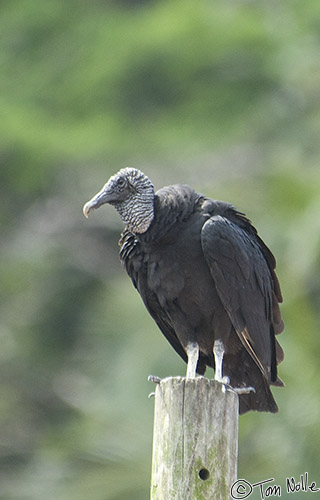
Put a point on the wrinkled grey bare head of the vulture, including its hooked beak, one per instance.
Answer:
(132, 194)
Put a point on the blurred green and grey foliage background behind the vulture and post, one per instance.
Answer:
(223, 95)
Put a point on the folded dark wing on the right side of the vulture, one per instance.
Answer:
(244, 282)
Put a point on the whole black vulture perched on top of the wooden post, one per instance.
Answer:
(206, 278)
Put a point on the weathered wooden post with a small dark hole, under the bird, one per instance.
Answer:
(195, 441)
